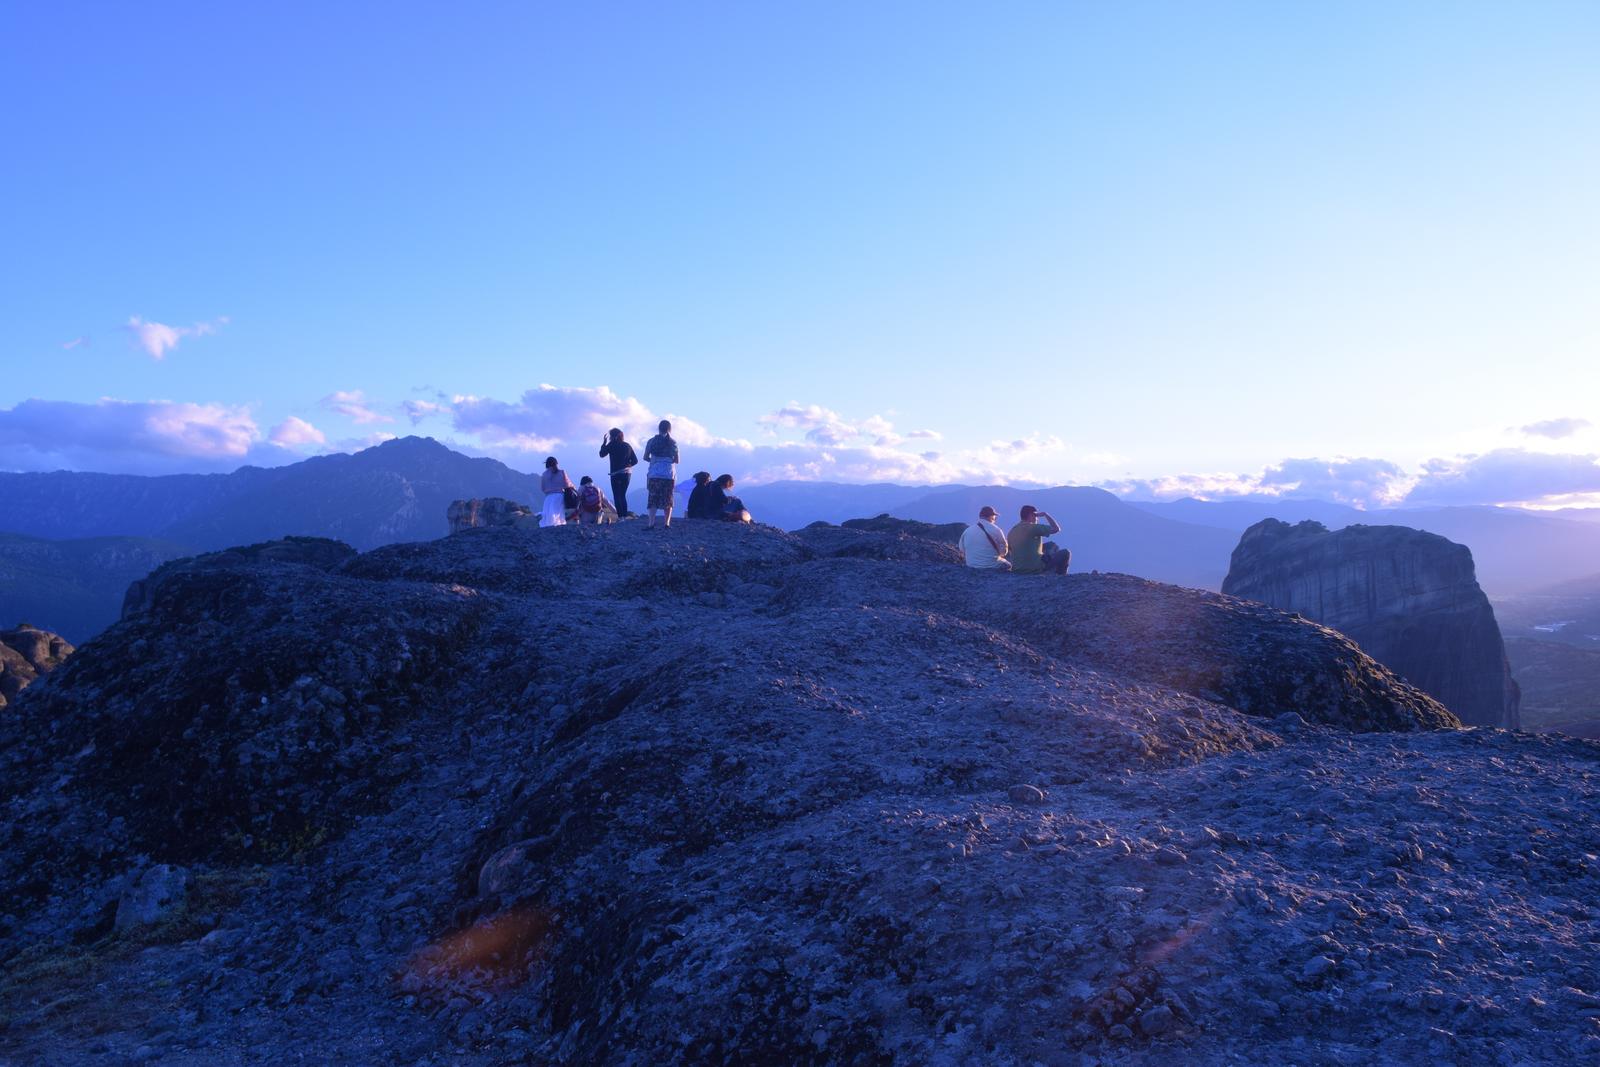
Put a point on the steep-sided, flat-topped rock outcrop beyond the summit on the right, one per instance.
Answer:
(1407, 597)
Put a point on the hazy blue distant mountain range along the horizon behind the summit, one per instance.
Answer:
(401, 490)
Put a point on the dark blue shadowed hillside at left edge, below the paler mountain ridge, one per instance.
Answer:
(74, 588)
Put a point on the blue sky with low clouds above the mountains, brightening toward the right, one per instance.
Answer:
(1166, 247)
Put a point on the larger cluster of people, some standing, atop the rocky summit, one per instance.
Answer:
(586, 503)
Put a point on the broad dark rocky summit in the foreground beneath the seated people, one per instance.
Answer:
(729, 796)
